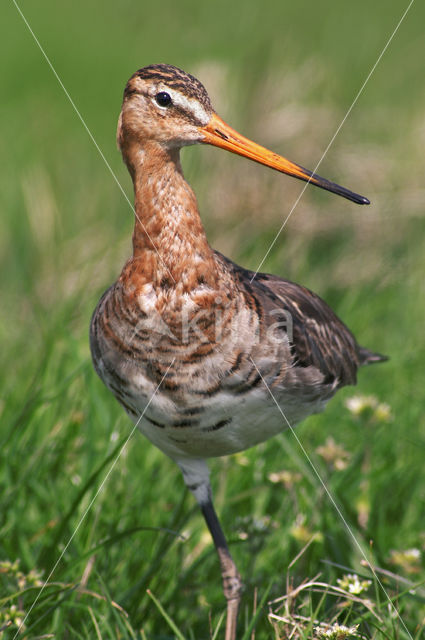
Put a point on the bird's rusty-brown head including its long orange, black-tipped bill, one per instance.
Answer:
(165, 105)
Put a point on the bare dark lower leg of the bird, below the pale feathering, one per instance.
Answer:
(232, 584)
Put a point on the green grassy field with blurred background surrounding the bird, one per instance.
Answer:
(117, 545)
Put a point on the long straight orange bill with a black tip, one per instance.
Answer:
(218, 133)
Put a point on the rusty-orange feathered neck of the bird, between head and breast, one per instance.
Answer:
(169, 241)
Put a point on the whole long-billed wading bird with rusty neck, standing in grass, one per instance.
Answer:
(206, 357)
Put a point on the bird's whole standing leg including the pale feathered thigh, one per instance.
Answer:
(196, 477)
